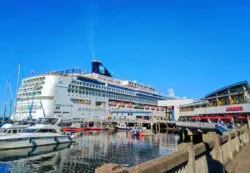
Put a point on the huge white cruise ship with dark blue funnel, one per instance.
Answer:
(74, 93)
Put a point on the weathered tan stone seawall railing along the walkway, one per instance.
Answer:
(208, 156)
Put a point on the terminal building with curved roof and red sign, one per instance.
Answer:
(230, 102)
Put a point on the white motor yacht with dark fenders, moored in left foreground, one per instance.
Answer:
(46, 132)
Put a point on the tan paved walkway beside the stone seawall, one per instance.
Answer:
(241, 162)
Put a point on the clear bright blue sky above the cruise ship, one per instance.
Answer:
(192, 46)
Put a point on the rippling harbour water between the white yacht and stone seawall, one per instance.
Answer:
(91, 151)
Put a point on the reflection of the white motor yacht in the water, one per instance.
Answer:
(31, 153)
